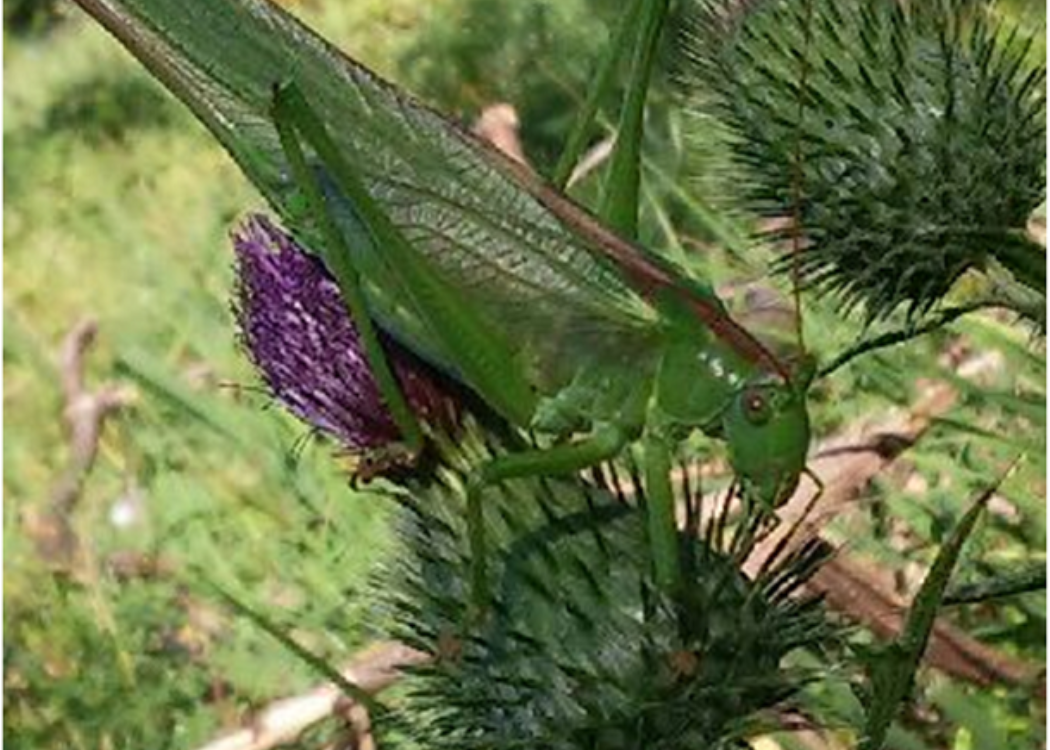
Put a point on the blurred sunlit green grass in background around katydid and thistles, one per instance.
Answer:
(119, 207)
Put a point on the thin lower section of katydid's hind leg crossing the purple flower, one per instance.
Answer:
(295, 119)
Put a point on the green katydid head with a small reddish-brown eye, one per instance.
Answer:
(767, 429)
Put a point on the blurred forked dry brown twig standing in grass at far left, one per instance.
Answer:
(85, 414)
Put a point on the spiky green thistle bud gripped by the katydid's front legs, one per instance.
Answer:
(578, 650)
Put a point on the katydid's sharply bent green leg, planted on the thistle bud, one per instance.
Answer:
(605, 444)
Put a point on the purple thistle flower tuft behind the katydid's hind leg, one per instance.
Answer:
(300, 336)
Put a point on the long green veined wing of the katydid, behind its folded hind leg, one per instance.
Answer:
(459, 203)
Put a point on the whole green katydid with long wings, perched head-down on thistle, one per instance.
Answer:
(556, 322)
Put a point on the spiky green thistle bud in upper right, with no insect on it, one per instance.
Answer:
(905, 142)
